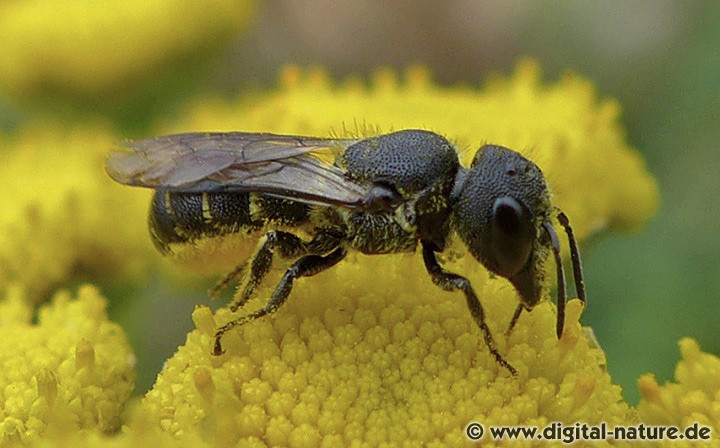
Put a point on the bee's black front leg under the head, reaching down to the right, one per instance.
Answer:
(453, 282)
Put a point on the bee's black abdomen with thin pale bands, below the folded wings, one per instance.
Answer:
(180, 217)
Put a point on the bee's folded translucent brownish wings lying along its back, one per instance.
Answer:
(281, 165)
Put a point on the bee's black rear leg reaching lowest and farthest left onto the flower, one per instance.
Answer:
(306, 266)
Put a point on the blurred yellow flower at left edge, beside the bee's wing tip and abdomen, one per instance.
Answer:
(62, 216)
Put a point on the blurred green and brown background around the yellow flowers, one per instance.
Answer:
(659, 59)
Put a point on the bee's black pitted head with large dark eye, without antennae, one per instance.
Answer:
(501, 210)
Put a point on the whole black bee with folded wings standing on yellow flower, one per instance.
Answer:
(377, 195)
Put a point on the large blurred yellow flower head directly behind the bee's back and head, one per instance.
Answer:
(575, 138)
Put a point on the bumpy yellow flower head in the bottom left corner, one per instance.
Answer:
(72, 370)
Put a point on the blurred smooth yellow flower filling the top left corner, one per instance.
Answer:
(84, 48)
